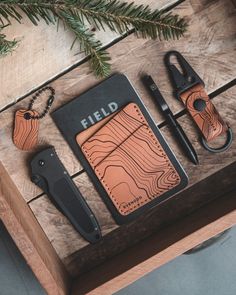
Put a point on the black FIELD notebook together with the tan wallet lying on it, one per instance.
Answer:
(120, 147)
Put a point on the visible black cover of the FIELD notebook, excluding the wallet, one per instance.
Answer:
(108, 97)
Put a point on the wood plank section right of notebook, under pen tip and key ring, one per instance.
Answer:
(209, 163)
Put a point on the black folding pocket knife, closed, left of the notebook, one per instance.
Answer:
(51, 176)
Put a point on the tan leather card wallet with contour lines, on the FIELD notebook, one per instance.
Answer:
(129, 161)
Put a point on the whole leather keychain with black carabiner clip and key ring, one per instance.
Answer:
(190, 90)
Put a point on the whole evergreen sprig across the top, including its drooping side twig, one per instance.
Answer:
(118, 16)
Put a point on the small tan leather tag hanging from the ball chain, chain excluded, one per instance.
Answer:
(25, 135)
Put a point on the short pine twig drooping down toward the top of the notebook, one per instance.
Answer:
(99, 60)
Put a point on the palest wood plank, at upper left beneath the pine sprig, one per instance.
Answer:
(43, 53)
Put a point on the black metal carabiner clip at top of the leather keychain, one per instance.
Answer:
(181, 81)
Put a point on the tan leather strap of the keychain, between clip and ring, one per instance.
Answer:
(209, 120)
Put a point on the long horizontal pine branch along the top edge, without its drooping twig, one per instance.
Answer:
(117, 15)
